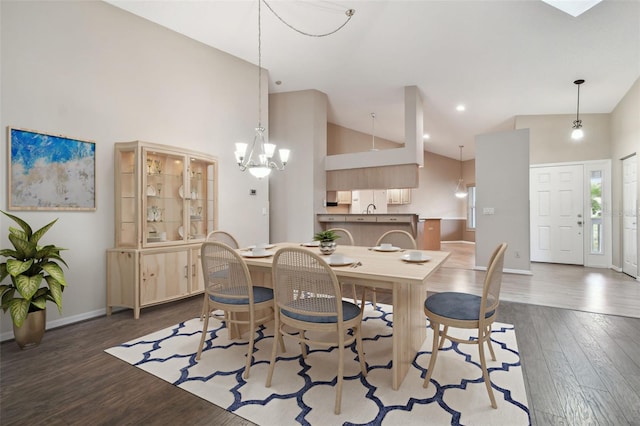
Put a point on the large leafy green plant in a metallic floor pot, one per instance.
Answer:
(28, 266)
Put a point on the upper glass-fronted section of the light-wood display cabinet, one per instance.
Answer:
(164, 196)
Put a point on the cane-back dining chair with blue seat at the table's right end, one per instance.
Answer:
(468, 311)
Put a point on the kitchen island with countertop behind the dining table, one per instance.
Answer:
(367, 228)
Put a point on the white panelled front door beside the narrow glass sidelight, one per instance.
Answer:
(557, 214)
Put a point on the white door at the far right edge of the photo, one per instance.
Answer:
(630, 216)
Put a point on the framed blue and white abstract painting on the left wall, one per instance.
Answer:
(50, 172)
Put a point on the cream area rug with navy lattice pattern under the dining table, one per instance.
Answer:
(302, 391)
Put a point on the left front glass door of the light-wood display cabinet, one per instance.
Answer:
(165, 196)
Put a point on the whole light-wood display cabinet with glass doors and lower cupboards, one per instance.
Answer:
(165, 205)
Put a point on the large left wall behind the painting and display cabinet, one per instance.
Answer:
(92, 71)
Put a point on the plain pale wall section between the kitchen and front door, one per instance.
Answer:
(502, 184)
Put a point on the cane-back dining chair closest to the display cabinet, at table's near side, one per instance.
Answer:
(229, 288)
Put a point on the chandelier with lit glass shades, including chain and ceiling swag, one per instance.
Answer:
(259, 160)
